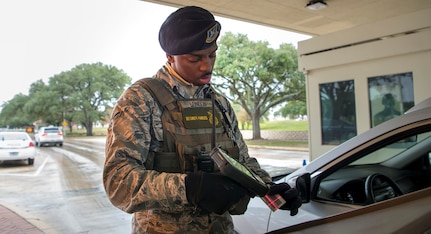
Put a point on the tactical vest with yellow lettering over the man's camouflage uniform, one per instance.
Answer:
(189, 131)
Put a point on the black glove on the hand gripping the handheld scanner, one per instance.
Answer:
(213, 192)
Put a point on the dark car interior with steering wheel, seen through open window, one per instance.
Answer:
(394, 166)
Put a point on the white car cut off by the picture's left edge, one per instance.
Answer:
(16, 146)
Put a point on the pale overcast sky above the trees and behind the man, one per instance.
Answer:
(40, 39)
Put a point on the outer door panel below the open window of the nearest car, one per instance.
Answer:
(406, 214)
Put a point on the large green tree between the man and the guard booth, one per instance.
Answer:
(257, 76)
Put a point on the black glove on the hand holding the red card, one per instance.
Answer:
(293, 201)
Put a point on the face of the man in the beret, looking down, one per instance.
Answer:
(195, 67)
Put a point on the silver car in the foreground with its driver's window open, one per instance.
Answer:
(376, 182)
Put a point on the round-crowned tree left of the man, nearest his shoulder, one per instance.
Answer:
(94, 88)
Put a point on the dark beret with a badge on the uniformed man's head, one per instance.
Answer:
(188, 29)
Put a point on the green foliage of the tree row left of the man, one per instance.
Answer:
(82, 95)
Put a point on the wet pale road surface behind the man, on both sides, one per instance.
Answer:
(63, 192)
